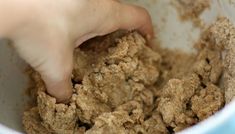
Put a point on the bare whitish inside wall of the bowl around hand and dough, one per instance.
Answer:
(170, 31)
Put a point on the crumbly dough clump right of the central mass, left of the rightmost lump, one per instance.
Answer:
(172, 103)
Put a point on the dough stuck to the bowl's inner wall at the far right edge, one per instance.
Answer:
(222, 33)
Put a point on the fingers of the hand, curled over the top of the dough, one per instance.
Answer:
(114, 15)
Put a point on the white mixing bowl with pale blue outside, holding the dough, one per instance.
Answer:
(172, 33)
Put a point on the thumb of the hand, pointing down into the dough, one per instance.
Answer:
(54, 61)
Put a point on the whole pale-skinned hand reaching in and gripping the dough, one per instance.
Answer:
(45, 32)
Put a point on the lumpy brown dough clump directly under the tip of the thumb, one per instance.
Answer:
(58, 118)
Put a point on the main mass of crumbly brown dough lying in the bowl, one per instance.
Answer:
(122, 86)
